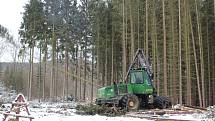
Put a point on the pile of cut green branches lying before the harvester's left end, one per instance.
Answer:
(92, 109)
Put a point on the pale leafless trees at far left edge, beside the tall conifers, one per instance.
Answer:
(11, 74)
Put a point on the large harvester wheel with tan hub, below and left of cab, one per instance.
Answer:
(130, 102)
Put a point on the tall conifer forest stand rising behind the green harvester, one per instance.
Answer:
(88, 44)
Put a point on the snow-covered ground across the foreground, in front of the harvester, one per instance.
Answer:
(48, 111)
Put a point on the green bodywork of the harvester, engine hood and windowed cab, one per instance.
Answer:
(139, 83)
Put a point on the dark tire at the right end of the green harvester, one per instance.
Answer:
(161, 102)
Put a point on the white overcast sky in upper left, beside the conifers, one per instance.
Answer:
(11, 17)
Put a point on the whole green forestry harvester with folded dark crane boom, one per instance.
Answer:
(136, 90)
